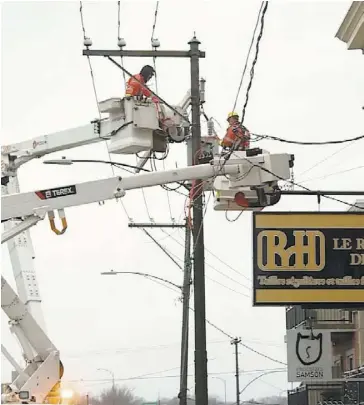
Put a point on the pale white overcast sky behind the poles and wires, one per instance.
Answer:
(307, 86)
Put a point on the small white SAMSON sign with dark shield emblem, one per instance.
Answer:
(309, 355)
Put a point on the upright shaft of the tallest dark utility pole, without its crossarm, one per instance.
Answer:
(201, 389)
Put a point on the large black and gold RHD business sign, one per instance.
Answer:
(308, 258)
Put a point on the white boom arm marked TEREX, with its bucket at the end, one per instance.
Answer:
(242, 174)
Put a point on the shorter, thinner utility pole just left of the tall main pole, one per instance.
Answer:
(185, 317)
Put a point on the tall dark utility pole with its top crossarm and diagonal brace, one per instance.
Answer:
(194, 54)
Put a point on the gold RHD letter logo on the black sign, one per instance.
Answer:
(305, 252)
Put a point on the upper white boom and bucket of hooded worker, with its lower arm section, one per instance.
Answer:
(124, 125)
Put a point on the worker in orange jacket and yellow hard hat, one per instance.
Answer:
(237, 136)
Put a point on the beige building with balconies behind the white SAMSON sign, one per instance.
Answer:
(347, 350)
